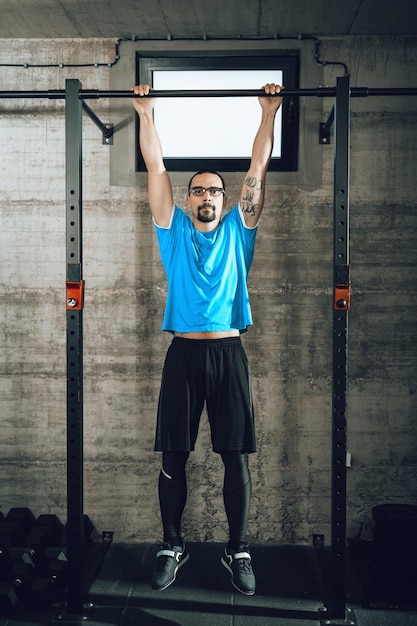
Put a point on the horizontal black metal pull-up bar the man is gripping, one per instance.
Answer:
(319, 92)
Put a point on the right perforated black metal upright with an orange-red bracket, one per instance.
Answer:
(341, 284)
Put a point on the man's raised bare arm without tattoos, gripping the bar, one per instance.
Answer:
(159, 185)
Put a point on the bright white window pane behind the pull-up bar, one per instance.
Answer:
(211, 127)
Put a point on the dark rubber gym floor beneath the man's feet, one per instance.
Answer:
(291, 591)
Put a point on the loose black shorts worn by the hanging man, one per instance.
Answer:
(214, 371)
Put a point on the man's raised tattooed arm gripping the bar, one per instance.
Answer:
(253, 188)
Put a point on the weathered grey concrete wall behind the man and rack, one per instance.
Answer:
(289, 346)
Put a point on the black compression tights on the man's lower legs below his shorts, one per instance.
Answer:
(237, 490)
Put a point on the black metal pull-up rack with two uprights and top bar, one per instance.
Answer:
(335, 611)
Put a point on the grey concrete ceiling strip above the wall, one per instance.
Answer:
(195, 19)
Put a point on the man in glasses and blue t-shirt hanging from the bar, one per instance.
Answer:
(207, 260)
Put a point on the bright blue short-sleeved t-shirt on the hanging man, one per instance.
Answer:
(207, 273)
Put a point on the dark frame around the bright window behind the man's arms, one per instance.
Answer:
(286, 61)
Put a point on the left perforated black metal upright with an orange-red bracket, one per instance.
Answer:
(74, 306)
